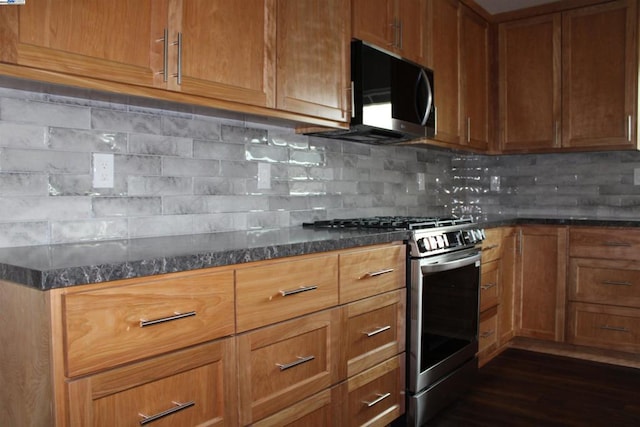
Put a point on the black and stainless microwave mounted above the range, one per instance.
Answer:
(392, 99)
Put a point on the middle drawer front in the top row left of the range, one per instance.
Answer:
(283, 290)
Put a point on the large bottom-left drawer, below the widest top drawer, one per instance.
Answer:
(195, 386)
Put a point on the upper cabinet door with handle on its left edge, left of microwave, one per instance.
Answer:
(227, 49)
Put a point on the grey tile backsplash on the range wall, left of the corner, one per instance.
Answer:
(182, 173)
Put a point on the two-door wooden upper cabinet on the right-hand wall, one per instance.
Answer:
(569, 80)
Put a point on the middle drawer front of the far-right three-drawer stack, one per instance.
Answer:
(605, 282)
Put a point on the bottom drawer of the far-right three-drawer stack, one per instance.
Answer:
(604, 326)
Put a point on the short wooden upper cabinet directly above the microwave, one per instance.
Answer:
(394, 25)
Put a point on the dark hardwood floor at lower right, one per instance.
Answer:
(523, 388)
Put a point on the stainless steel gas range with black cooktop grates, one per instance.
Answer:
(443, 306)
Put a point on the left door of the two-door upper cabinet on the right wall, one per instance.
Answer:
(529, 84)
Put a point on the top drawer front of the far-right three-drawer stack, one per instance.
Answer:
(607, 243)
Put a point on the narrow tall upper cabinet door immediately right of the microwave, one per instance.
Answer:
(445, 49)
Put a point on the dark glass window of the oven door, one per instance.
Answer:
(450, 313)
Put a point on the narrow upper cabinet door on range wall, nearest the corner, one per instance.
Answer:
(475, 80)
